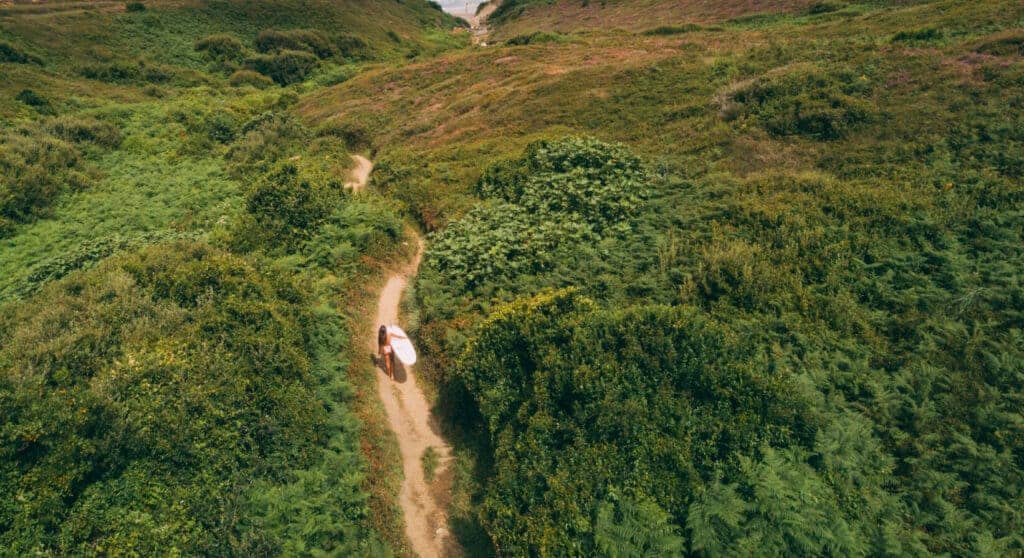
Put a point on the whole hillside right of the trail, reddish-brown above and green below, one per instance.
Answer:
(793, 320)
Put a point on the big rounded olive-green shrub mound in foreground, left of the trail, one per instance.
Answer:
(172, 398)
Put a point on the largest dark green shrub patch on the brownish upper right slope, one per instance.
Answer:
(804, 101)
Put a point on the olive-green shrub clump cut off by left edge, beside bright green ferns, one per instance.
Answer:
(35, 170)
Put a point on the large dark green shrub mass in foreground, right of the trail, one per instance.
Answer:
(584, 406)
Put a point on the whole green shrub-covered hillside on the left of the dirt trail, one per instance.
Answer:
(181, 269)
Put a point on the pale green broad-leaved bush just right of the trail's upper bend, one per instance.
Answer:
(561, 195)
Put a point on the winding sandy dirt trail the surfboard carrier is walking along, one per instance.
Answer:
(409, 416)
